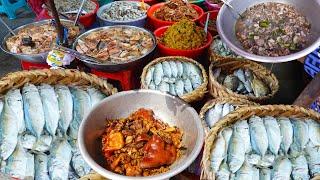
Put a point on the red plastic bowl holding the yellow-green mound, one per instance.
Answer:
(193, 53)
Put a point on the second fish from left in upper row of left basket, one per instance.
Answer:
(33, 109)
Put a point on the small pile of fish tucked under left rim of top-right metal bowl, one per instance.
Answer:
(222, 49)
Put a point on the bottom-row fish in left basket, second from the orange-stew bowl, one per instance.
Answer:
(59, 160)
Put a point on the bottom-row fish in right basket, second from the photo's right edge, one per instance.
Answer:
(300, 168)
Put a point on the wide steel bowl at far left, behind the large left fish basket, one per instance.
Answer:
(36, 58)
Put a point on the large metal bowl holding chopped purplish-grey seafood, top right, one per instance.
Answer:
(226, 27)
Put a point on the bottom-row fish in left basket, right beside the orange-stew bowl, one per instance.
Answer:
(78, 164)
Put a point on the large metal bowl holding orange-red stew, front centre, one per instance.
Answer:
(169, 109)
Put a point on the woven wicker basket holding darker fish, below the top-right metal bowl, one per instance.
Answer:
(229, 65)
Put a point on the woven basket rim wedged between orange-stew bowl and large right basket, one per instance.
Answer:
(211, 103)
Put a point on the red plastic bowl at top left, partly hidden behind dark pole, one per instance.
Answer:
(86, 20)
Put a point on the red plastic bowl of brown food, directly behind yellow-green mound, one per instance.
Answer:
(157, 23)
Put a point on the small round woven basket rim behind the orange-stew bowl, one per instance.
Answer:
(195, 95)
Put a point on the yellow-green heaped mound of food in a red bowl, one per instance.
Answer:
(184, 35)
